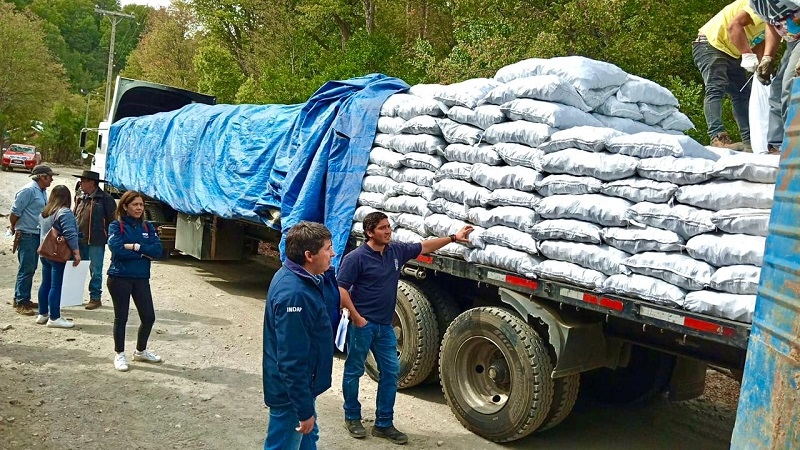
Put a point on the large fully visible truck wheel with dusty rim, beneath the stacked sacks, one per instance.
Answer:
(496, 374)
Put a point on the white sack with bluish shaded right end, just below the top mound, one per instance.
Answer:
(554, 114)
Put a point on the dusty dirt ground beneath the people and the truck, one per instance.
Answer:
(59, 389)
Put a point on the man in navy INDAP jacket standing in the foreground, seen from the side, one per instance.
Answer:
(298, 337)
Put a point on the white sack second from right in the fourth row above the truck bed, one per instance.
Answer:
(685, 220)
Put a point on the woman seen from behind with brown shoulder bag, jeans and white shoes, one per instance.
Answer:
(56, 214)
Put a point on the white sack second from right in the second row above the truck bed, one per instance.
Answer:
(674, 268)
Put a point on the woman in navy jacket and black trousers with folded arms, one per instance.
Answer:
(134, 244)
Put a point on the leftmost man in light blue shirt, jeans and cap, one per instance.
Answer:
(25, 214)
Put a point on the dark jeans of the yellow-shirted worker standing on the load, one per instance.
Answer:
(722, 75)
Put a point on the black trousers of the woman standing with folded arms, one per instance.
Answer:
(121, 290)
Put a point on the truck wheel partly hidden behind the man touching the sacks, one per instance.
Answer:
(417, 337)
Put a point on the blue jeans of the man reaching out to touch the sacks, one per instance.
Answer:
(383, 343)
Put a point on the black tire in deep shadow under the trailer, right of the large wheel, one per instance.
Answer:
(647, 374)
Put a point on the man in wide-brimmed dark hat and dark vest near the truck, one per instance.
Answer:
(94, 210)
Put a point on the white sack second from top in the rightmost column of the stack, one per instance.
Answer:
(717, 195)
